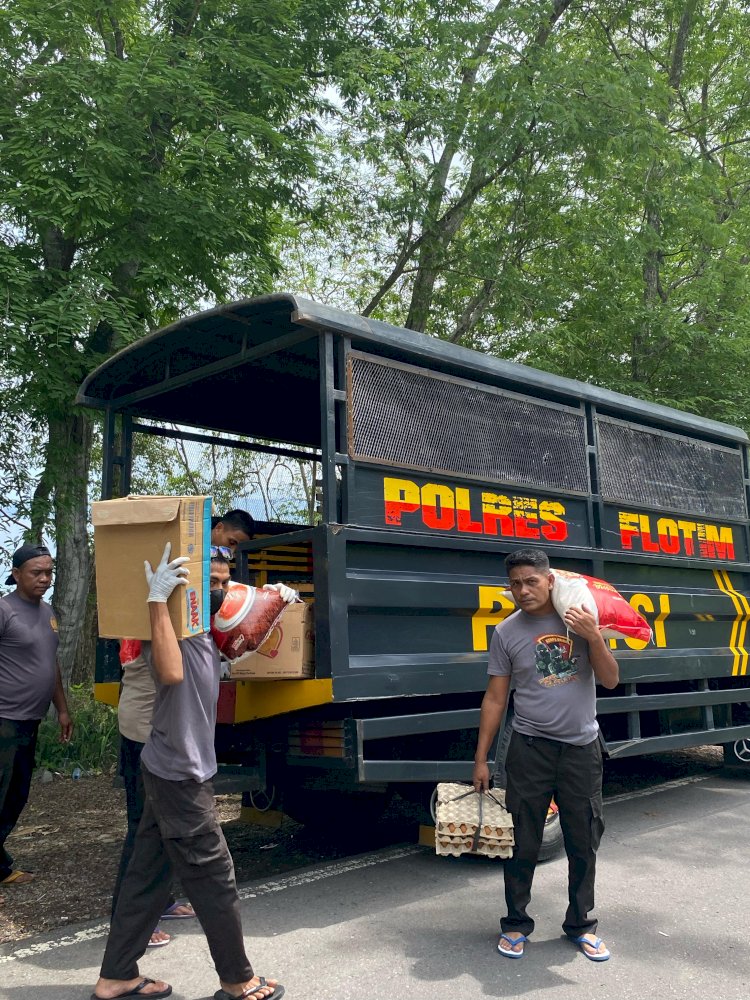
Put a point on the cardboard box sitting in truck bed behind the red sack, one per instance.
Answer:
(288, 652)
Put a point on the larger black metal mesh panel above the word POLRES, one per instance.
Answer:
(405, 416)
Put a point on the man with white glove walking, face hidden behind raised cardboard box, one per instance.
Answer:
(179, 830)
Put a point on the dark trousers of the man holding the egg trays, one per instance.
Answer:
(538, 769)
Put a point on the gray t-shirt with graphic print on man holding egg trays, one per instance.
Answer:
(555, 689)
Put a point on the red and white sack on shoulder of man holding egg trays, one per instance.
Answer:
(614, 616)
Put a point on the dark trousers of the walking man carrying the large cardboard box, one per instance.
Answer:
(179, 831)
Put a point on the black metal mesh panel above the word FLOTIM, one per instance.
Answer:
(657, 469)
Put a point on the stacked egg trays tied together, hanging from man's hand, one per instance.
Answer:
(467, 822)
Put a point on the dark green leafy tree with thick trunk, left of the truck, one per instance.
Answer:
(147, 150)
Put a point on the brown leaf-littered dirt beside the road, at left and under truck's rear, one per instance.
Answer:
(70, 835)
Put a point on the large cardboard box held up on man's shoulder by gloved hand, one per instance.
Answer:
(130, 530)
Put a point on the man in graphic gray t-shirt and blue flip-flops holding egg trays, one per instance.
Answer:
(553, 665)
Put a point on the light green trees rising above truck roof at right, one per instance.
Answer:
(560, 184)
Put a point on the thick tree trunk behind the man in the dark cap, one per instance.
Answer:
(68, 459)
